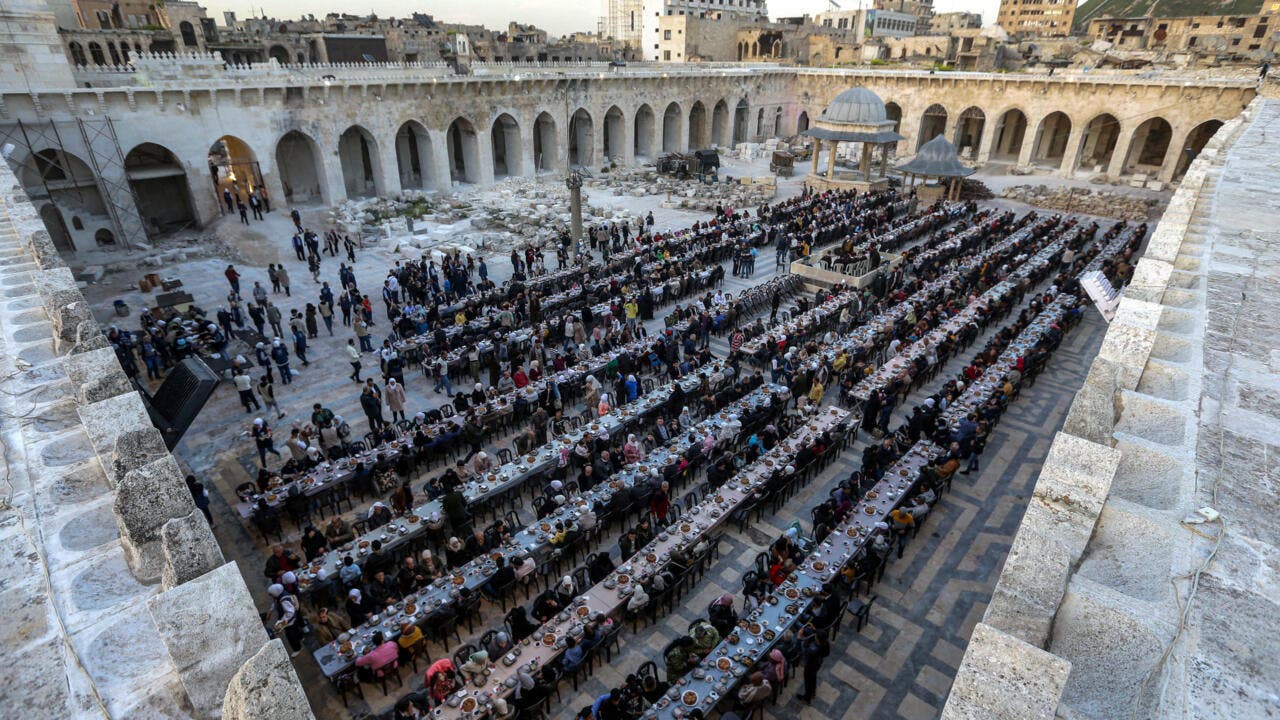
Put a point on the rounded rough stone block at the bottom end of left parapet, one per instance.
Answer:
(267, 689)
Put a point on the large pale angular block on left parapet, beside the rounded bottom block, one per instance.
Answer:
(211, 628)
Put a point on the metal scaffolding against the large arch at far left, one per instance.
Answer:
(100, 152)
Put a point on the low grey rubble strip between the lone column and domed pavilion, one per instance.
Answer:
(687, 194)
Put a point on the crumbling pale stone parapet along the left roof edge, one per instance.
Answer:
(175, 594)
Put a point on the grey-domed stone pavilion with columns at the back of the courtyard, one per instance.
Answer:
(856, 116)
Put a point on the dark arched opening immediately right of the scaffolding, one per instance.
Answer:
(159, 184)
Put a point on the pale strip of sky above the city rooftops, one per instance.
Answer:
(557, 17)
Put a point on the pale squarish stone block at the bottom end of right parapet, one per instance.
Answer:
(1003, 678)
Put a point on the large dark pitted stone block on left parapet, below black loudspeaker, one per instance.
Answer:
(148, 499)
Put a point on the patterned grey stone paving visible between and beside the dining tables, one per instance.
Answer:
(902, 664)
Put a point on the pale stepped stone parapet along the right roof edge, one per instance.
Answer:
(1084, 609)
